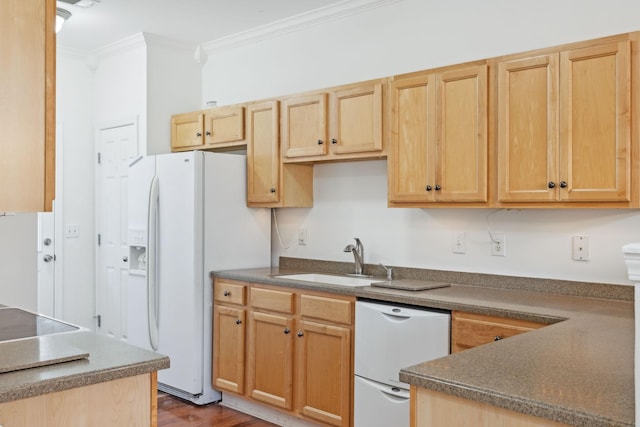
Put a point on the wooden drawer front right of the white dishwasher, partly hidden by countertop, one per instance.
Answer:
(469, 332)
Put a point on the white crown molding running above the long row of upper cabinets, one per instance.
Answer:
(295, 23)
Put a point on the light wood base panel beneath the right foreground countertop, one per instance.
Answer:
(434, 409)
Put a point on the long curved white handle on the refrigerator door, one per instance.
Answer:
(152, 230)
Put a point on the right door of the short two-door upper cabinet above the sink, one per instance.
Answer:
(356, 120)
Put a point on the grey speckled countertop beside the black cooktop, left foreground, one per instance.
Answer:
(109, 359)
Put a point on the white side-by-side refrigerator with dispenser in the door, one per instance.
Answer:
(187, 216)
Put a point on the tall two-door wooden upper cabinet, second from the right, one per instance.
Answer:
(438, 143)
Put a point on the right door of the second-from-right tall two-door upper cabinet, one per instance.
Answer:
(461, 148)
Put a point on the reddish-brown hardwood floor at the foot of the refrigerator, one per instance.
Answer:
(174, 412)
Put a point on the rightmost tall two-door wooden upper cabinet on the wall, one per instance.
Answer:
(564, 128)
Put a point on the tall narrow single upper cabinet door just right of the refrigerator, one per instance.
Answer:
(263, 153)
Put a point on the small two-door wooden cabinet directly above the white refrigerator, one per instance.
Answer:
(209, 129)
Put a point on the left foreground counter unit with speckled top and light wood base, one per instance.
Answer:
(115, 384)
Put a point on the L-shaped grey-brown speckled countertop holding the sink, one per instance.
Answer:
(578, 370)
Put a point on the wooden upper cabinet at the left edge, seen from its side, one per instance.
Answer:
(27, 91)
